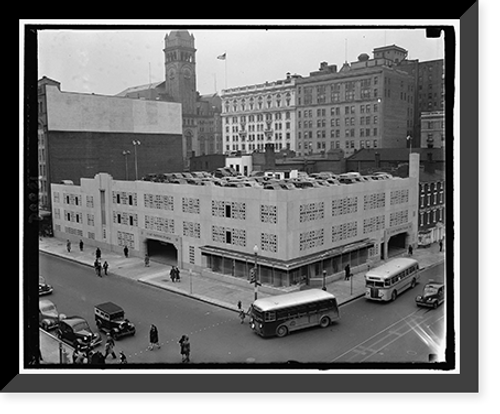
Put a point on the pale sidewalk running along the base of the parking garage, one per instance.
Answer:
(217, 292)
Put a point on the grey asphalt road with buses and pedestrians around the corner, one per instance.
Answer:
(367, 332)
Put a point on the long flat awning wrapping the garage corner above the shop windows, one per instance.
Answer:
(291, 264)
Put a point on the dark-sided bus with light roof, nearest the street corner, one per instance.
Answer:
(281, 314)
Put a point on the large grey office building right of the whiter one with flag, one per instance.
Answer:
(365, 104)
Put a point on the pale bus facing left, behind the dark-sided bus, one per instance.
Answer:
(387, 281)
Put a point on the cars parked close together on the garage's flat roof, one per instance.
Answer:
(227, 177)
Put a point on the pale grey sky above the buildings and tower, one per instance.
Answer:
(107, 61)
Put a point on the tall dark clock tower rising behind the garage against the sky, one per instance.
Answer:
(180, 69)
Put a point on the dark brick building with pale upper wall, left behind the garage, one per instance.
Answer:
(80, 135)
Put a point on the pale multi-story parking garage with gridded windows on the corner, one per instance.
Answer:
(291, 234)
